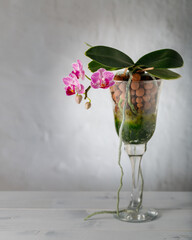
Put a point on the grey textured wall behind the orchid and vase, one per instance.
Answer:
(47, 141)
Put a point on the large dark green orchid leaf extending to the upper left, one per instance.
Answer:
(110, 57)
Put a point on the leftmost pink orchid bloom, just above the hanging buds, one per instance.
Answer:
(72, 85)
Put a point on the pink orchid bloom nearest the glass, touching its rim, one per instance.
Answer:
(102, 79)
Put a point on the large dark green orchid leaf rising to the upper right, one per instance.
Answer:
(164, 58)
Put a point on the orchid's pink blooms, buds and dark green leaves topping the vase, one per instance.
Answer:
(107, 59)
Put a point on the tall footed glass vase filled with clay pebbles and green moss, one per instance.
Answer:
(136, 106)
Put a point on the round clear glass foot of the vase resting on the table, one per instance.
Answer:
(143, 215)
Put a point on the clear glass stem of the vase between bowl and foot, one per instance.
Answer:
(135, 153)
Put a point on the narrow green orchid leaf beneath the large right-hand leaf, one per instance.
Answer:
(164, 73)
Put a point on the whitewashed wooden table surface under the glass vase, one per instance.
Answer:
(60, 215)
